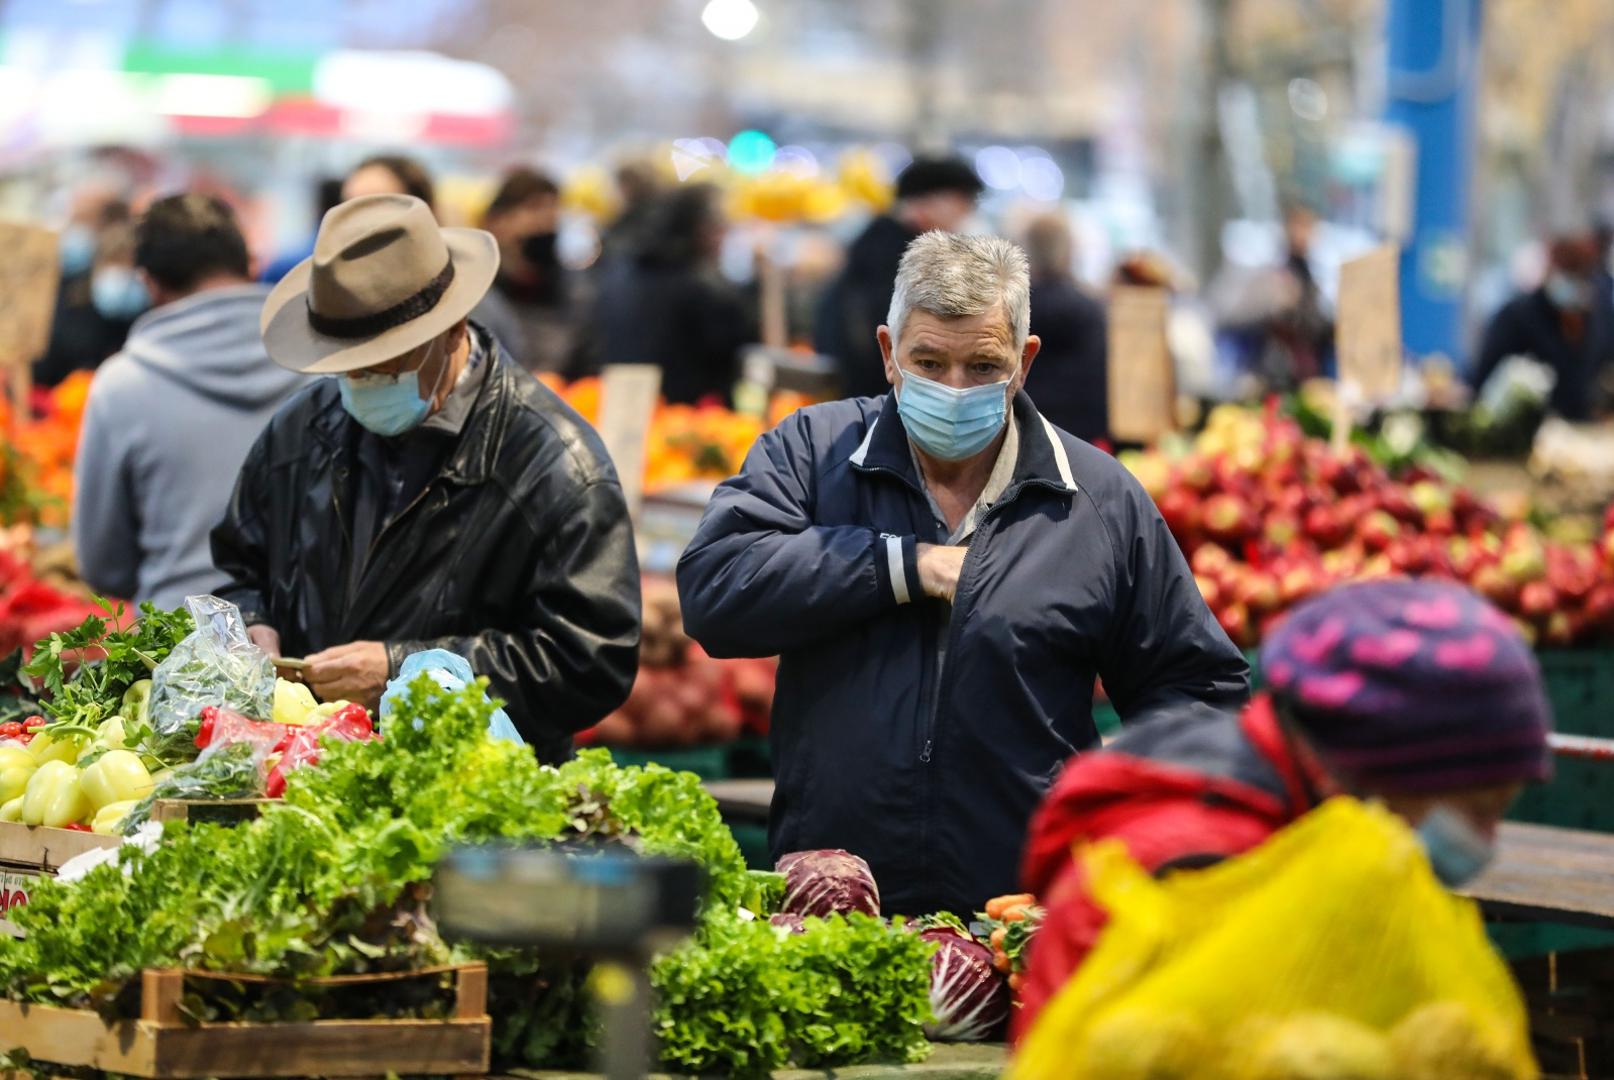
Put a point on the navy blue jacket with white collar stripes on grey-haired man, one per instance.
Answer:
(1073, 574)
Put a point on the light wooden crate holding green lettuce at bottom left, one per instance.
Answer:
(164, 1045)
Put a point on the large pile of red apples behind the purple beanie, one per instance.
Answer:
(1269, 517)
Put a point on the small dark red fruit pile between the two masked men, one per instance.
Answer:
(682, 697)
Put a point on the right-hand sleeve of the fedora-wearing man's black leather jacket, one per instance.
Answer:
(579, 658)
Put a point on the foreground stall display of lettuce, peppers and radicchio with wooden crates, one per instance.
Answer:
(178, 948)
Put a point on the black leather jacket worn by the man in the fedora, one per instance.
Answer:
(517, 555)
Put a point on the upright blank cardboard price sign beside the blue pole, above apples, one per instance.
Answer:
(1368, 332)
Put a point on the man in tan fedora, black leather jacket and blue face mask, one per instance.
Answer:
(432, 495)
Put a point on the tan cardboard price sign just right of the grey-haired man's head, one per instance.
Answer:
(1142, 375)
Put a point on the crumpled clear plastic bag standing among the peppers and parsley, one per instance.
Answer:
(215, 666)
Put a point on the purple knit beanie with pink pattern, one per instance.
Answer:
(1411, 687)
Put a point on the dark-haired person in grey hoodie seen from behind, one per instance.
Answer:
(172, 417)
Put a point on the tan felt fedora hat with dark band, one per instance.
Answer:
(383, 278)
